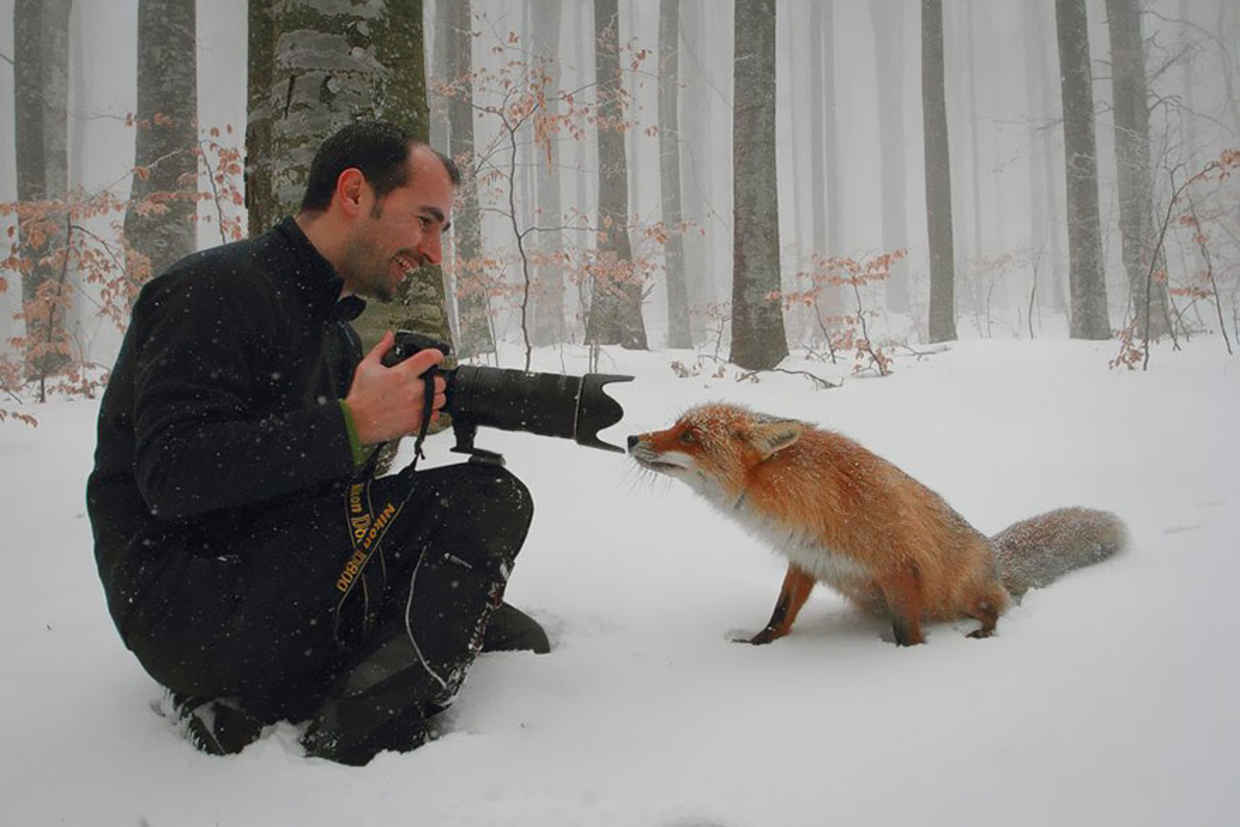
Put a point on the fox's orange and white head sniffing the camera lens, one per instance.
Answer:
(714, 447)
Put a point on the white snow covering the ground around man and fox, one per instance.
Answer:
(1105, 699)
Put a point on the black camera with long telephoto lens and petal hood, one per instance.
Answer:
(549, 405)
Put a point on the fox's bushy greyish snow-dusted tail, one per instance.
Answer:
(1035, 552)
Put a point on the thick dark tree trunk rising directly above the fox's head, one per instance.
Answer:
(758, 340)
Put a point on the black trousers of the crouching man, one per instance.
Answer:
(263, 618)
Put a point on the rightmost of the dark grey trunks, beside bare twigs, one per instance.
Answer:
(1133, 164)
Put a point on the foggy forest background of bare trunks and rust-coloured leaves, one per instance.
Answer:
(921, 190)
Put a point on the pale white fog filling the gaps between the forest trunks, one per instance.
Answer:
(850, 159)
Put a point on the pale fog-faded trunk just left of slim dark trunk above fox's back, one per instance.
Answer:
(888, 20)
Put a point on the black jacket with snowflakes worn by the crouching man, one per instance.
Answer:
(224, 401)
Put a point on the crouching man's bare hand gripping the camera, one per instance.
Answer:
(387, 402)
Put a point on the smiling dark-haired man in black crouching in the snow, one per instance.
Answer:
(249, 560)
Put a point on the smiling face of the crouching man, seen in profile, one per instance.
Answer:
(401, 231)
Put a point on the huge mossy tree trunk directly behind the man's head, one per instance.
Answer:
(334, 63)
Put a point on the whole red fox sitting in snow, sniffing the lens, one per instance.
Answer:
(850, 519)
